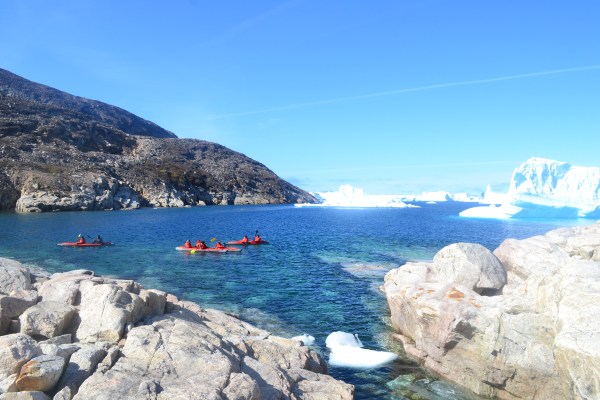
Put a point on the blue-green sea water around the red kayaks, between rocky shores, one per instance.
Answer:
(320, 273)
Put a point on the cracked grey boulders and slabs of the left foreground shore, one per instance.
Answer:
(76, 335)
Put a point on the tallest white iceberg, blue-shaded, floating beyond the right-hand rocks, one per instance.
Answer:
(543, 188)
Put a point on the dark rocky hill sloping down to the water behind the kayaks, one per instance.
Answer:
(63, 152)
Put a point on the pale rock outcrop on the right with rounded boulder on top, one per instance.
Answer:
(535, 337)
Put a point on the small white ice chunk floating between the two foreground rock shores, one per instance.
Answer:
(347, 351)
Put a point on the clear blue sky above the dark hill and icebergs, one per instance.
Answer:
(390, 96)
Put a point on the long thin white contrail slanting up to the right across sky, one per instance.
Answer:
(407, 90)
